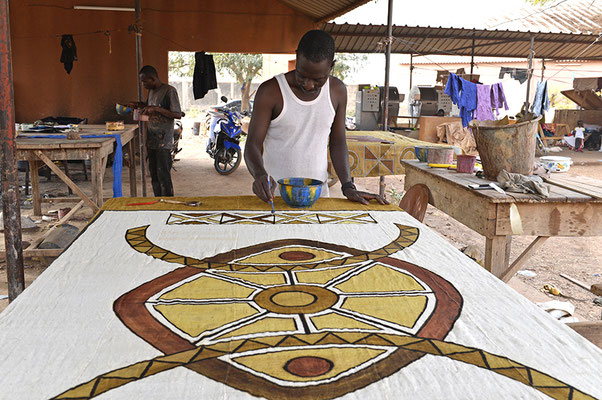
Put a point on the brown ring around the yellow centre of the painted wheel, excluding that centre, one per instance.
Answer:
(323, 299)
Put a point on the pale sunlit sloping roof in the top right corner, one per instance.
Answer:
(568, 16)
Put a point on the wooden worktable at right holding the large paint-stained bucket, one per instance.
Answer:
(574, 208)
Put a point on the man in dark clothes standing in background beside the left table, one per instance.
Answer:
(162, 106)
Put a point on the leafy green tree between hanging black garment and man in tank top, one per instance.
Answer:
(244, 67)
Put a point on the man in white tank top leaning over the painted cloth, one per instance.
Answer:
(297, 116)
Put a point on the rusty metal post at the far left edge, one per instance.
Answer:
(8, 164)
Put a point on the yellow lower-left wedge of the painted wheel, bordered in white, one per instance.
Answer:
(194, 319)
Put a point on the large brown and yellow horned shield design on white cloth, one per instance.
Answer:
(316, 330)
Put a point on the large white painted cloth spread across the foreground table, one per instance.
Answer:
(139, 308)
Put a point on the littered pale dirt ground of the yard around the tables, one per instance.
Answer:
(580, 258)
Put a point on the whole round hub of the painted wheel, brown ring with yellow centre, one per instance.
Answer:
(296, 299)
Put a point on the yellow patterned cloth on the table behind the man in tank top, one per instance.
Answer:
(378, 153)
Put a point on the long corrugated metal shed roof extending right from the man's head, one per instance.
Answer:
(458, 41)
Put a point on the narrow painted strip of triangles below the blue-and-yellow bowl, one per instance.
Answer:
(263, 218)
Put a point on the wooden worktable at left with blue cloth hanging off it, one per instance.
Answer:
(37, 151)
